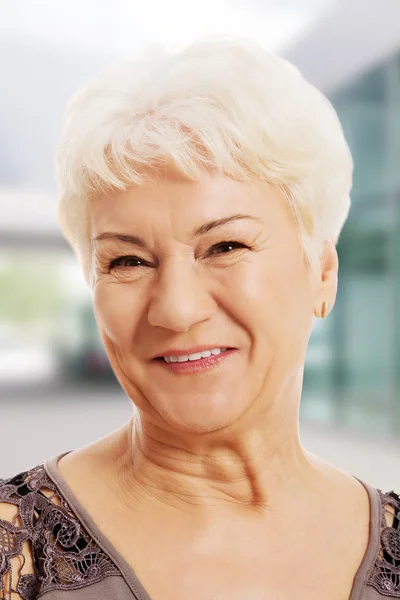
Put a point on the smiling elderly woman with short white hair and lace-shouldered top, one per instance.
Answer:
(203, 192)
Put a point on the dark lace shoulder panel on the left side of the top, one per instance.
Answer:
(64, 555)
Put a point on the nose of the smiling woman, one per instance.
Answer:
(181, 298)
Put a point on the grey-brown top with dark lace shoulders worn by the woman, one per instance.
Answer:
(71, 554)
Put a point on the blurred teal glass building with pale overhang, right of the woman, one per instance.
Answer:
(354, 57)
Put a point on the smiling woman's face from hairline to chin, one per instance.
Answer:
(211, 264)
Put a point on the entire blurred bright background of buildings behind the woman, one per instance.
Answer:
(57, 391)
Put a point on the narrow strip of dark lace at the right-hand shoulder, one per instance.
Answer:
(385, 575)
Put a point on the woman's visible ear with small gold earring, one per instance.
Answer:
(327, 279)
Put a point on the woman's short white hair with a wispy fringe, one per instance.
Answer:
(222, 103)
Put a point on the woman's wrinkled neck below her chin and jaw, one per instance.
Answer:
(258, 468)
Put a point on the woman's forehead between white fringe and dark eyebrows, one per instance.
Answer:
(174, 200)
